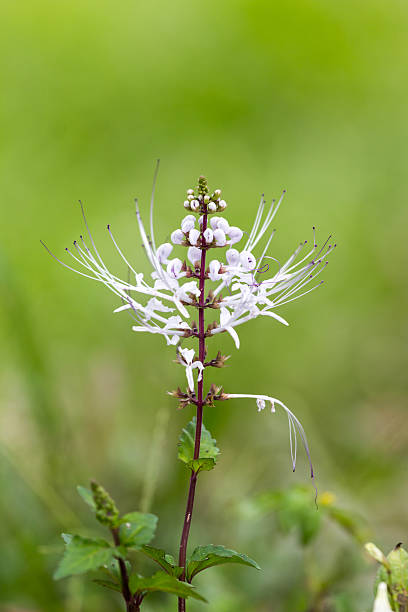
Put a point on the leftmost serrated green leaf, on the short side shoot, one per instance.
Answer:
(84, 554)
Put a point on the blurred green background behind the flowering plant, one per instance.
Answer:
(310, 96)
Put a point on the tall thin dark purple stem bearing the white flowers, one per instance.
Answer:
(199, 419)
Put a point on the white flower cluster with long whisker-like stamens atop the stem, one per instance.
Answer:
(250, 287)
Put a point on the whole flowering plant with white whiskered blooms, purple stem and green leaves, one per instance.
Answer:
(243, 287)
